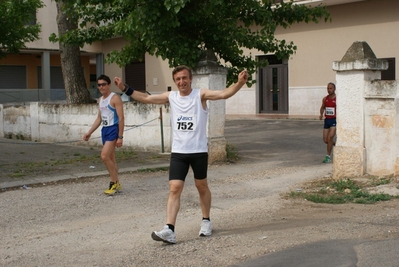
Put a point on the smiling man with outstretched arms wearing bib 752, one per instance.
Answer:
(189, 146)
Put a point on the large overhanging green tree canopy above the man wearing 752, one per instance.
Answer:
(179, 30)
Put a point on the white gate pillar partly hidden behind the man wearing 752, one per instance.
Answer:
(208, 74)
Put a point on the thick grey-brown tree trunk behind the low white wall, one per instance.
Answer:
(72, 71)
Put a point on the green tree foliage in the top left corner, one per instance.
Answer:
(16, 29)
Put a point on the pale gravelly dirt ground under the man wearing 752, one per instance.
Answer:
(74, 224)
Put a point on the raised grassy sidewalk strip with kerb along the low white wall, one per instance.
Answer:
(26, 163)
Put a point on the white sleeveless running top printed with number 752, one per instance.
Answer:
(188, 121)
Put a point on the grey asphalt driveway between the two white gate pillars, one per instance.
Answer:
(280, 142)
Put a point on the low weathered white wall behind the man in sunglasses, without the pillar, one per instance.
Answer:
(53, 123)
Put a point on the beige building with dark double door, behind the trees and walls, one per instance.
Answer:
(293, 86)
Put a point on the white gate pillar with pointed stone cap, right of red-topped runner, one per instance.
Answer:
(357, 68)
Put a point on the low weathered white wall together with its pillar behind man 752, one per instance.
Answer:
(62, 123)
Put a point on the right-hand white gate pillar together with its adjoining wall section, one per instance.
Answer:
(367, 116)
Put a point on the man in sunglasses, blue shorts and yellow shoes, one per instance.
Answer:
(110, 115)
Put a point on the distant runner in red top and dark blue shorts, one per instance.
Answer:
(329, 110)
